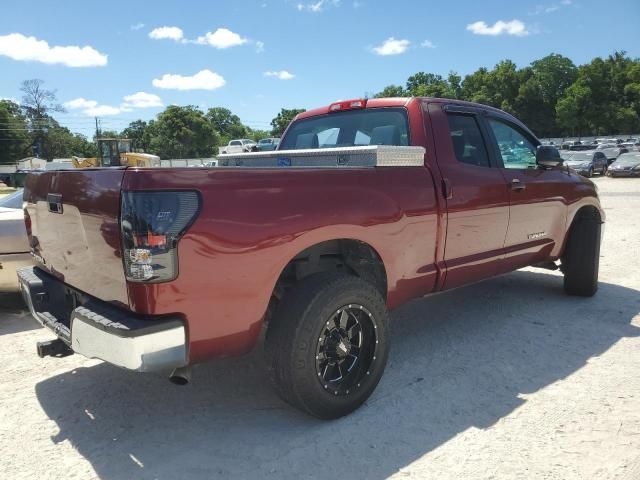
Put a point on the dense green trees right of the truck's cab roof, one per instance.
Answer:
(552, 95)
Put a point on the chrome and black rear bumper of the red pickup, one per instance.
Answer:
(97, 329)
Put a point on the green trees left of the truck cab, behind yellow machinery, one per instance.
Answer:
(29, 128)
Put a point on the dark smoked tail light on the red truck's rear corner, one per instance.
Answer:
(151, 224)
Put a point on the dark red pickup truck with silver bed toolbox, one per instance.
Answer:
(365, 205)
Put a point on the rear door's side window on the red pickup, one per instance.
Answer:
(468, 144)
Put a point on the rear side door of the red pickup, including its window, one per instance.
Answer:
(476, 194)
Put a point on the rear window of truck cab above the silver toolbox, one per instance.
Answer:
(375, 126)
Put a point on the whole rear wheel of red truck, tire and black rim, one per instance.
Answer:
(327, 345)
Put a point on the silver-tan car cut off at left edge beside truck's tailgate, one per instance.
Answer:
(14, 244)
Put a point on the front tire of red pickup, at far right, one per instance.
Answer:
(581, 259)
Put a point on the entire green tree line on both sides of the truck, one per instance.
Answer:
(552, 95)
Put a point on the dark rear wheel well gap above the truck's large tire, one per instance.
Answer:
(341, 255)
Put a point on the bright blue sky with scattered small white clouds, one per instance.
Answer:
(124, 60)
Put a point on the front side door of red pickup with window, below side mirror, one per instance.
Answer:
(537, 196)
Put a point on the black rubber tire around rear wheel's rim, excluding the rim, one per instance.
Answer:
(294, 334)
